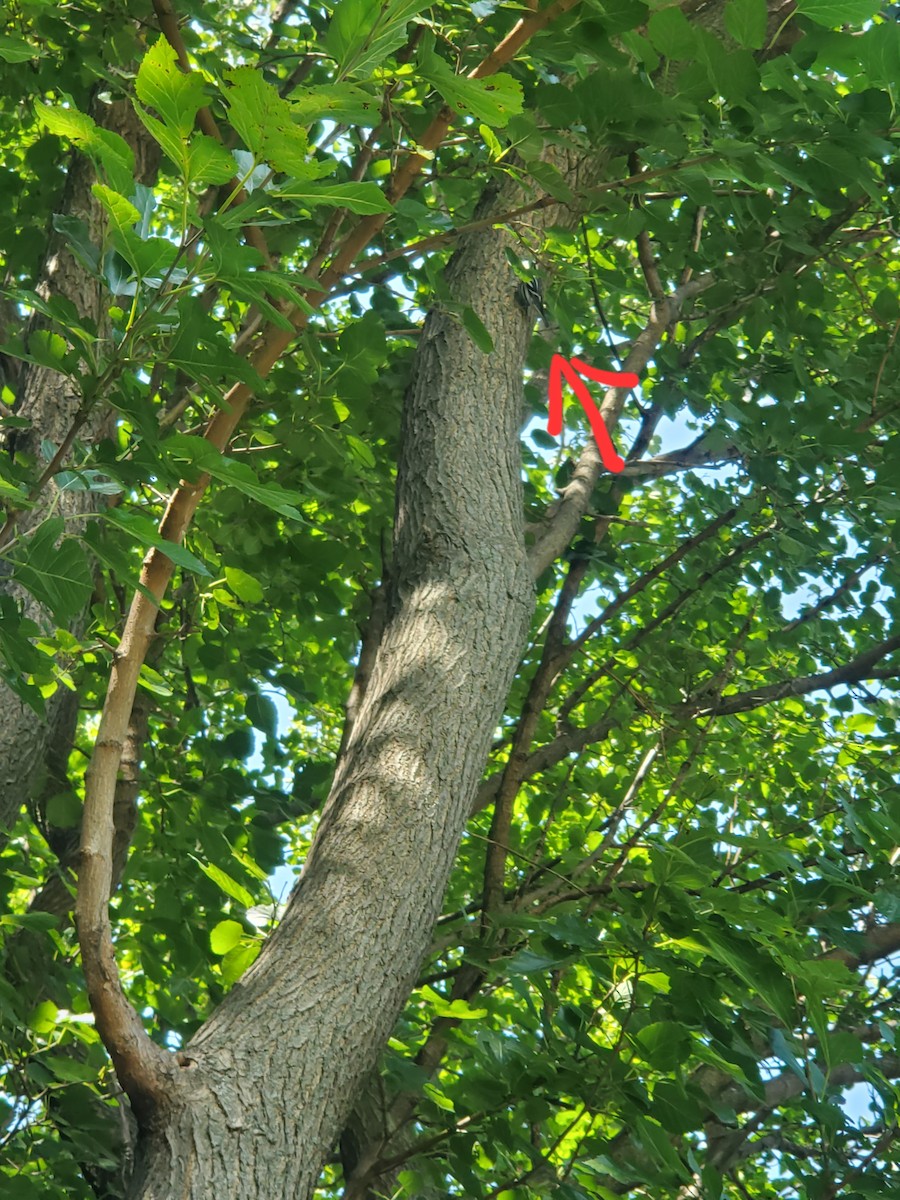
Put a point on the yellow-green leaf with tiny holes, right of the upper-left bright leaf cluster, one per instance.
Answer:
(267, 125)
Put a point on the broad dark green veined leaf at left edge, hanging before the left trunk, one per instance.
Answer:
(56, 572)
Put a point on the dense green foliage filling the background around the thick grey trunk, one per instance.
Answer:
(667, 949)
